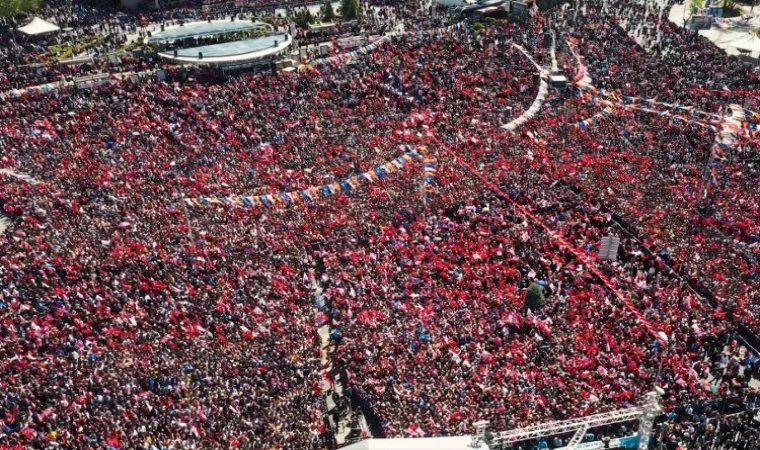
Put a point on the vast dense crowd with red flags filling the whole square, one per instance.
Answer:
(132, 320)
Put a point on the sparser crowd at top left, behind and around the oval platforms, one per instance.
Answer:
(97, 40)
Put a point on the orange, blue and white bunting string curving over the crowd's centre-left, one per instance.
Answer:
(314, 193)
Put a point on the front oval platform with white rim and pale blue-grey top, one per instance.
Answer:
(231, 52)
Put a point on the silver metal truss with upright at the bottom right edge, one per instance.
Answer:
(644, 414)
